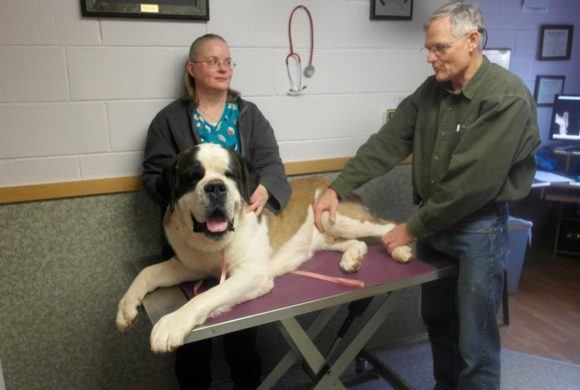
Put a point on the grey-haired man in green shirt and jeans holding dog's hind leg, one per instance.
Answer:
(472, 130)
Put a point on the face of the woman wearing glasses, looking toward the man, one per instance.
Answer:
(211, 67)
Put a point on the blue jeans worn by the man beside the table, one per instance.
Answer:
(460, 312)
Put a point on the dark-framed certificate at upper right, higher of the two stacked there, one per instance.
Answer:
(555, 42)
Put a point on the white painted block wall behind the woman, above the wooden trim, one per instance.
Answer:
(77, 94)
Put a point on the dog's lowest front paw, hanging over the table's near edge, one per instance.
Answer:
(169, 332)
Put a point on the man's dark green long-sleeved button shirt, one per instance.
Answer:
(470, 148)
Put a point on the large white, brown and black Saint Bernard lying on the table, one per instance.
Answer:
(206, 221)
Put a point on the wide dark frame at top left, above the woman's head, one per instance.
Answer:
(159, 9)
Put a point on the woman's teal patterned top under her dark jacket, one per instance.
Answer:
(225, 132)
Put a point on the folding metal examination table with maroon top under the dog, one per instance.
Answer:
(294, 295)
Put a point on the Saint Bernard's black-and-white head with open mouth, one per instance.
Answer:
(209, 185)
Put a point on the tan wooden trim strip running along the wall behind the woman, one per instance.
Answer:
(114, 185)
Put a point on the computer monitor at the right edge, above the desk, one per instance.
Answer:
(565, 124)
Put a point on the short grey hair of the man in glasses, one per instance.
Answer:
(464, 17)
